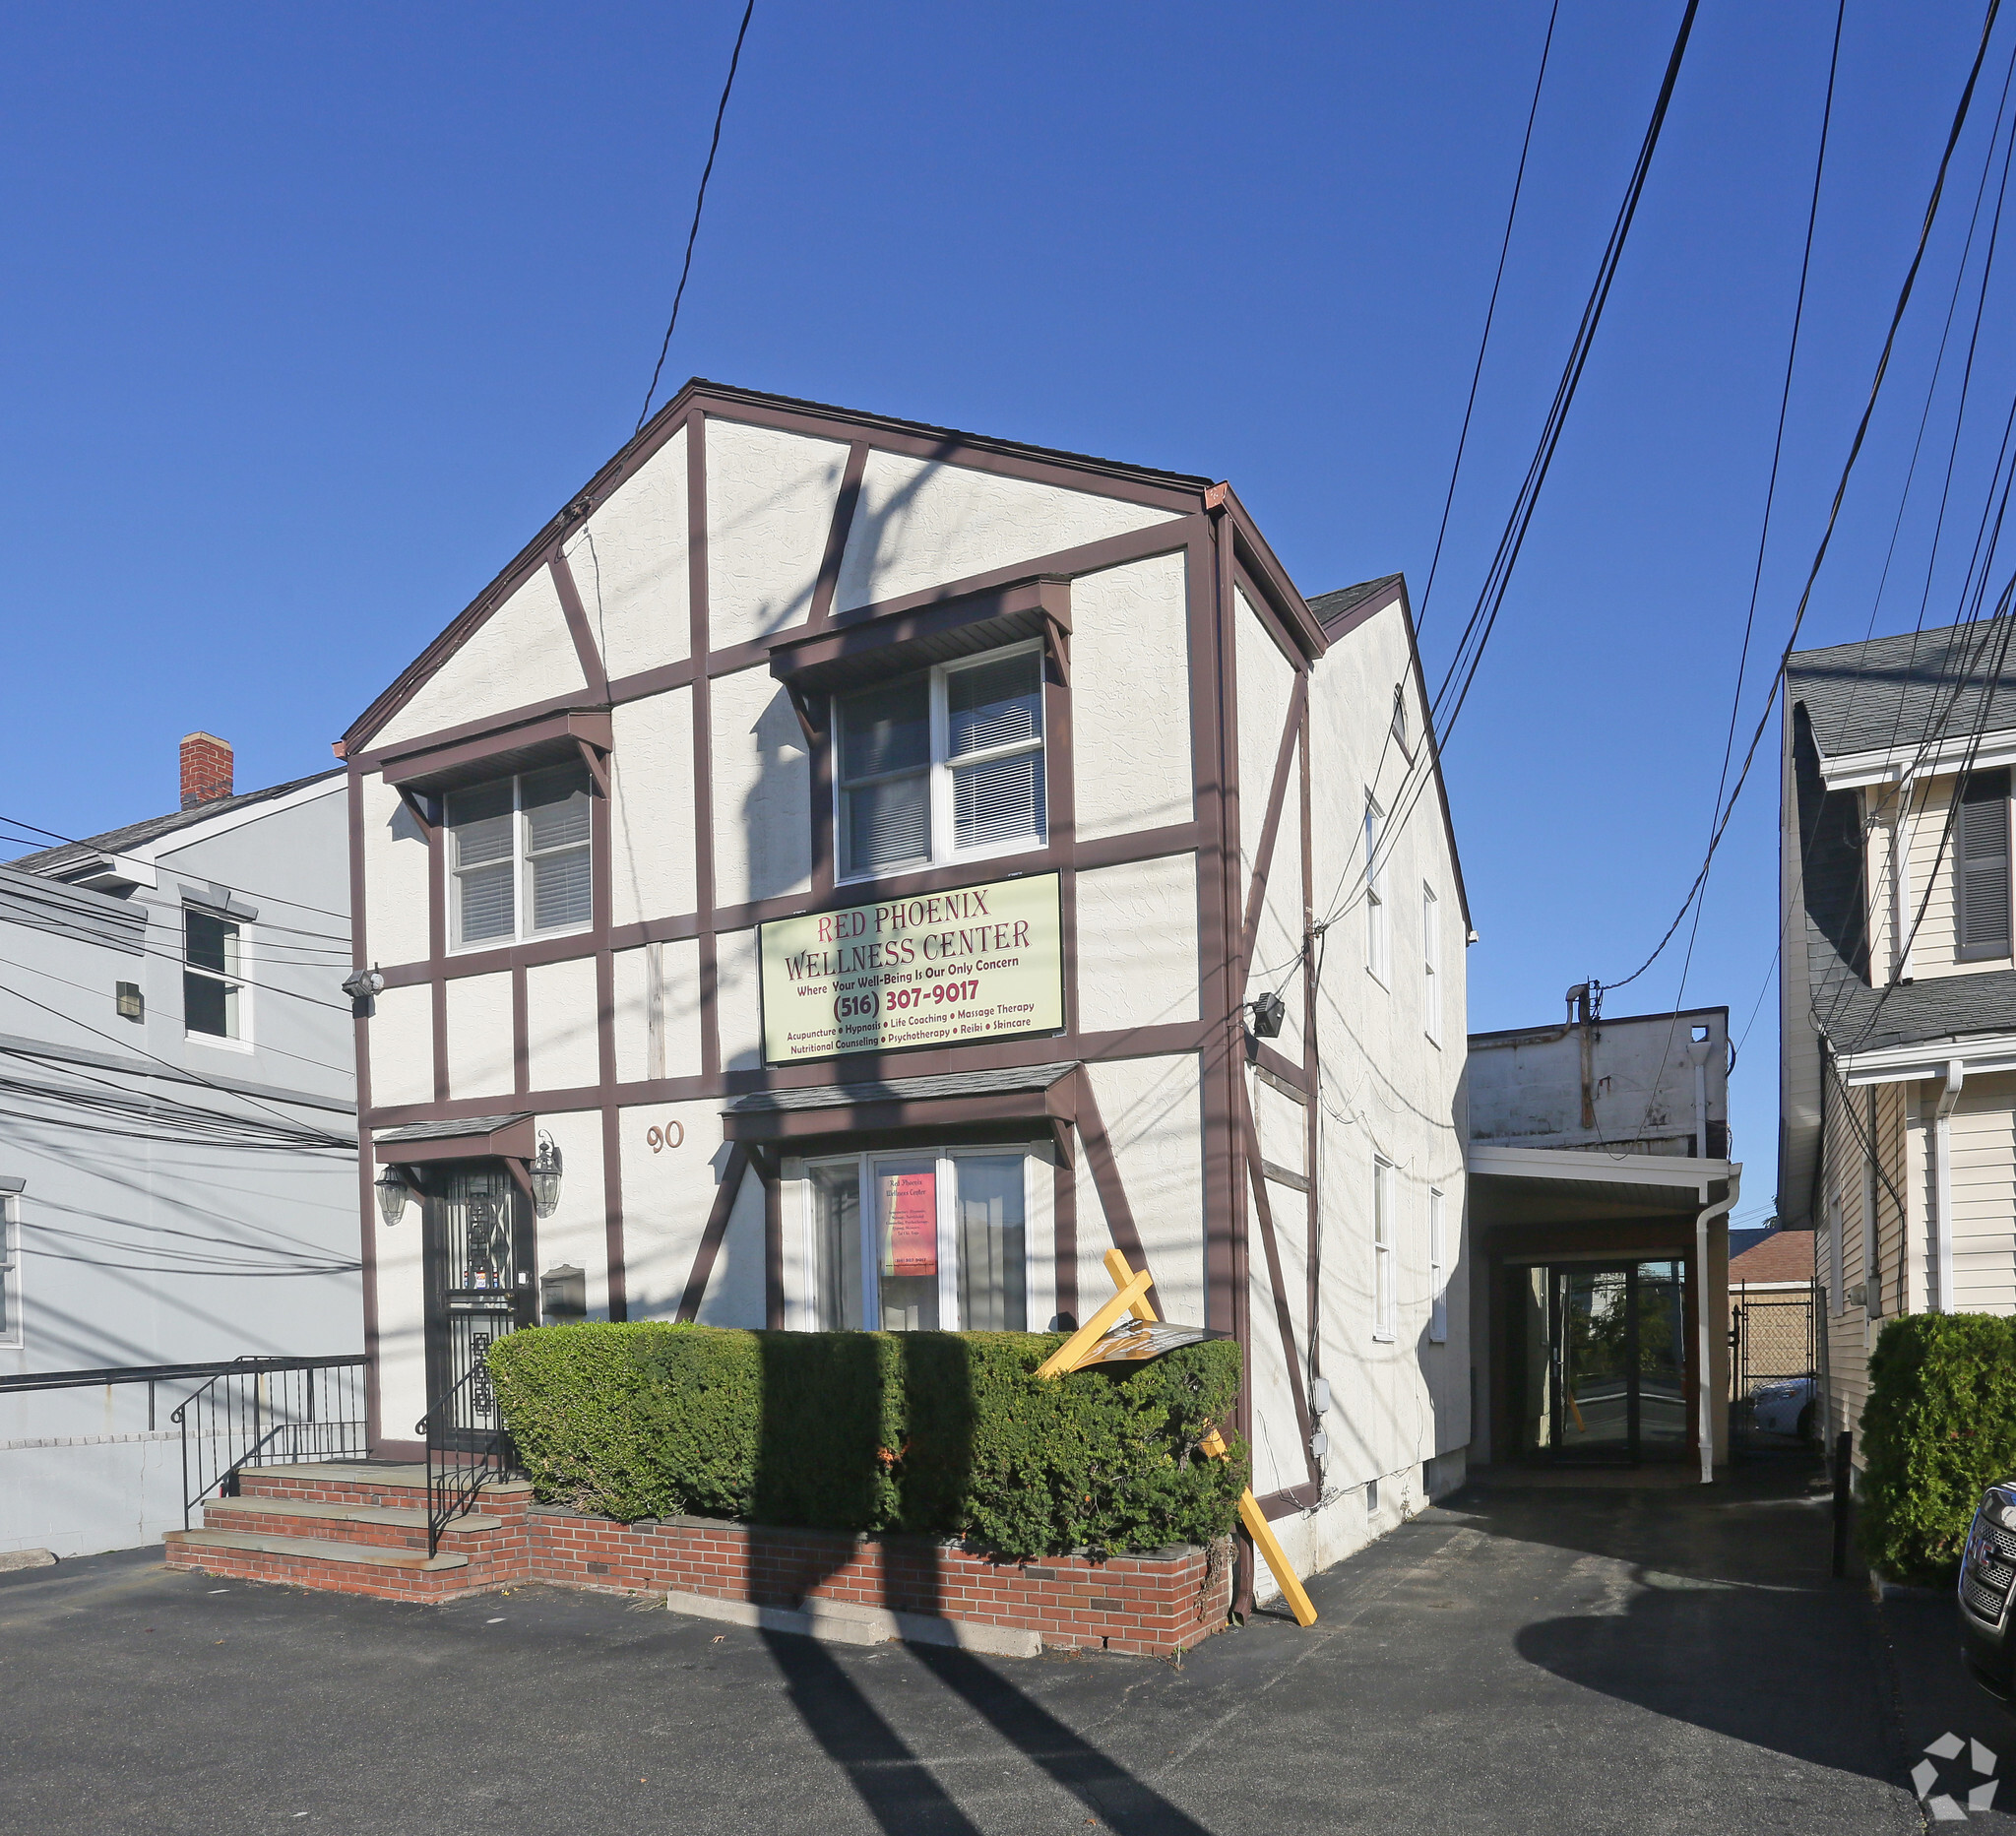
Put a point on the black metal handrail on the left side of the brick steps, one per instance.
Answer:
(267, 1412)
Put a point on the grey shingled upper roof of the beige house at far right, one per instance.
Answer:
(1896, 690)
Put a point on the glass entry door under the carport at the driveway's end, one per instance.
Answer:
(1602, 1369)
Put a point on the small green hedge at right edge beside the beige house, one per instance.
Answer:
(1940, 1426)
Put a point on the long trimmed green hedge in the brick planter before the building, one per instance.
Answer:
(940, 1434)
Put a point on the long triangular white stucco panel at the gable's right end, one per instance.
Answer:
(922, 525)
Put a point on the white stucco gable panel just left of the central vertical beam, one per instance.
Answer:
(632, 569)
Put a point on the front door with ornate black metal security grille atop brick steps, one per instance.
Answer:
(479, 1253)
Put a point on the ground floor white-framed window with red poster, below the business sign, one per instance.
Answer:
(920, 1240)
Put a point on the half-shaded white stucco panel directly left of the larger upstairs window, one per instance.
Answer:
(763, 789)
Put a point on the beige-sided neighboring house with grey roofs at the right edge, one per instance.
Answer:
(1898, 1073)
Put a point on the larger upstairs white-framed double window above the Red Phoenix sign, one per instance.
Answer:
(940, 767)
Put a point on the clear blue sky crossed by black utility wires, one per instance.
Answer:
(318, 313)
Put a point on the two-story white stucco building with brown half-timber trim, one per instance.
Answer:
(858, 874)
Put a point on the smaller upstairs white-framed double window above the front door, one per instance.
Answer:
(519, 858)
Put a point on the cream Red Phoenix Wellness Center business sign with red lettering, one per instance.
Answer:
(936, 970)
